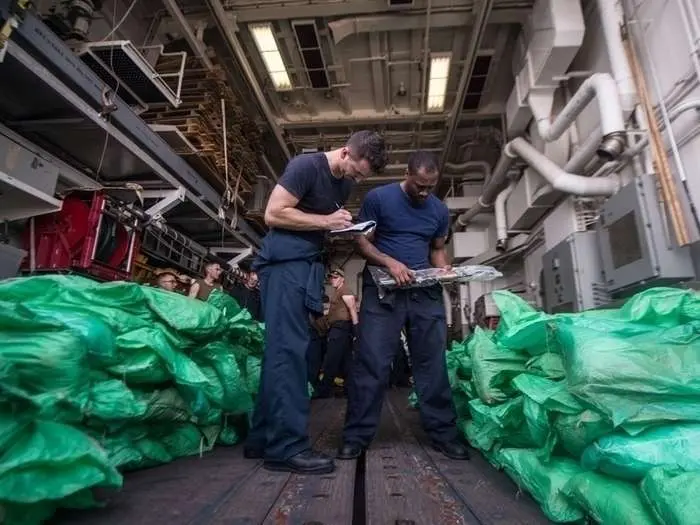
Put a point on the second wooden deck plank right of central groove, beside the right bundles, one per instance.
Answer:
(490, 495)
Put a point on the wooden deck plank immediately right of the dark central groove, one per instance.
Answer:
(402, 484)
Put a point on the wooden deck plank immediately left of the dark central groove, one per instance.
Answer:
(322, 500)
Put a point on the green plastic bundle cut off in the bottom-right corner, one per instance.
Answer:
(672, 495)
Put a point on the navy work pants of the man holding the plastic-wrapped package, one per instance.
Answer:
(421, 310)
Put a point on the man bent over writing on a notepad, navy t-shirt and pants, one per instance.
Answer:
(306, 202)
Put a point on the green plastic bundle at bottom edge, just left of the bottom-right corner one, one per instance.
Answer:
(608, 501)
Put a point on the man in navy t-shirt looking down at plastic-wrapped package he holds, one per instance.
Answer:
(412, 227)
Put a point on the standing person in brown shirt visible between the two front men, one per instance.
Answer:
(342, 322)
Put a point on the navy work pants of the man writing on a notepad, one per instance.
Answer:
(280, 421)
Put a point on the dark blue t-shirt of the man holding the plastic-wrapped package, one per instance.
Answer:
(405, 230)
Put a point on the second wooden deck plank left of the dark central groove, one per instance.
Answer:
(252, 502)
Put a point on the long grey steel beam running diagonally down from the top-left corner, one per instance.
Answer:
(126, 127)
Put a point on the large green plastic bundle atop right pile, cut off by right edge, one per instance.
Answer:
(635, 365)
